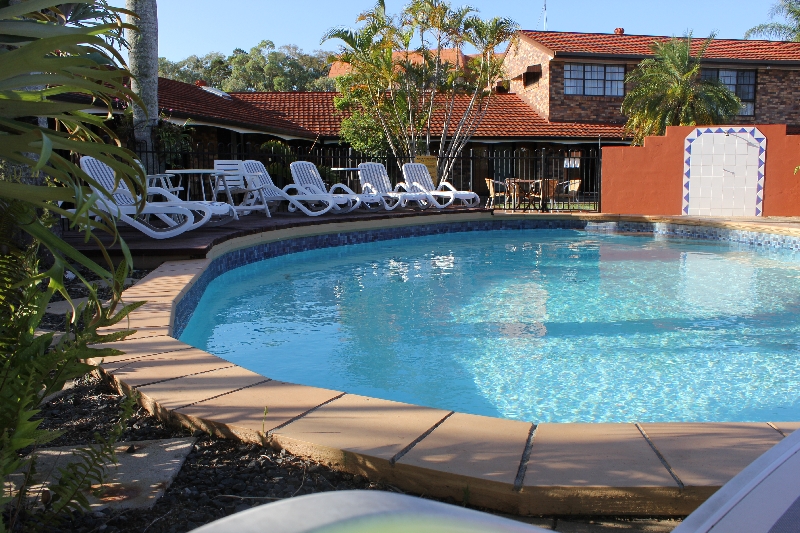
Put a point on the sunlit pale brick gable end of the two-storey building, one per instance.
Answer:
(536, 95)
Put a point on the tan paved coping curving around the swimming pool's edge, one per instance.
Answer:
(665, 469)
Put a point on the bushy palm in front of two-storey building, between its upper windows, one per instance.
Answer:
(668, 90)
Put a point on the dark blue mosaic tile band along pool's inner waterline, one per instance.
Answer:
(245, 256)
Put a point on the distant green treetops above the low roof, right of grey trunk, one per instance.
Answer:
(263, 68)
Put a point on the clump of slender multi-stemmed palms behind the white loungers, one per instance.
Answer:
(413, 93)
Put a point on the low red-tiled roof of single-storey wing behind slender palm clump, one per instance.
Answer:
(508, 117)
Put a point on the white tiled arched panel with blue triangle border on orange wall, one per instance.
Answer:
(723, 172)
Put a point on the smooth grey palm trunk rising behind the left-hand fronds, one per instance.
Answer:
(143, 64)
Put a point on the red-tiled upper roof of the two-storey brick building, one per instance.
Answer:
(573, 44)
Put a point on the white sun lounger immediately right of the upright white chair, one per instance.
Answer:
(262, 189)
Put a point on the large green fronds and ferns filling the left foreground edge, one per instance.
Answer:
(47, 51)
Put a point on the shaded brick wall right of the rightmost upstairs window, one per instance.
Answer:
(777, 96)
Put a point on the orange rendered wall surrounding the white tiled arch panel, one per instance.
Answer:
(648, 180)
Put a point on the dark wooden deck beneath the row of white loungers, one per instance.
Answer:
(149, 253)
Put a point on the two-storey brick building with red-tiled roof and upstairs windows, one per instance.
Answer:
(579, 77)
